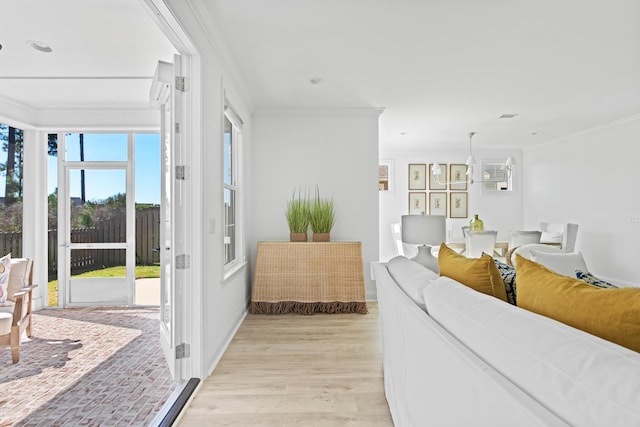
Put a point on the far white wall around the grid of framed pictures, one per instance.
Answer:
(501, 211)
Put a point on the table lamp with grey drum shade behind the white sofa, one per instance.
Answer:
(426, 231)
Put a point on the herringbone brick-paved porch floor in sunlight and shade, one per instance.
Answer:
(89, 367)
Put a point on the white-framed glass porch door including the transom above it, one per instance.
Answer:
(97, 220)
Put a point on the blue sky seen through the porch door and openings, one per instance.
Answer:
(100, 184)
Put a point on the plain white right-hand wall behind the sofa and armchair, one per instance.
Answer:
(591, 179)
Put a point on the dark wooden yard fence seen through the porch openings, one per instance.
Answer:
(112, 230)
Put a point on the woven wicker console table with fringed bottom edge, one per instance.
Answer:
(307, 278)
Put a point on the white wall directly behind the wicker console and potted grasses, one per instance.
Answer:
(337, 150)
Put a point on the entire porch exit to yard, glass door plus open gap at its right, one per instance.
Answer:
(108, 219)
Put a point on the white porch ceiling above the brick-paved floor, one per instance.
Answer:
(104, 53)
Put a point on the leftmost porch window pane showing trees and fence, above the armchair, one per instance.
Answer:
(11, 173)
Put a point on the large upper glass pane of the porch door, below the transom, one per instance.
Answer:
(98, 206)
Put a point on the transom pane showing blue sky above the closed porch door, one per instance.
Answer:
(92, 147)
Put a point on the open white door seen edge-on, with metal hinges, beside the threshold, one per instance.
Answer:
(174, 229)
